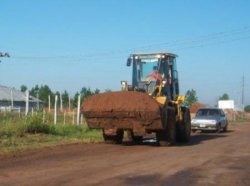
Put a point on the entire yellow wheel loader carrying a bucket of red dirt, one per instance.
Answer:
(152, 103)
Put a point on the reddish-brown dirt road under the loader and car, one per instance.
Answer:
(209, 159)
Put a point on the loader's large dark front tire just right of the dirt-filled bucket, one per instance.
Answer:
(167, 136)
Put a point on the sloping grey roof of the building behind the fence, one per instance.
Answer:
(6, 93)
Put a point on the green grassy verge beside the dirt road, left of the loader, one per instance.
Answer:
(31, 133)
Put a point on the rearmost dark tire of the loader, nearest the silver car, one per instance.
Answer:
(184, 127)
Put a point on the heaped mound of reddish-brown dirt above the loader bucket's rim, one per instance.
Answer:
(124, 101)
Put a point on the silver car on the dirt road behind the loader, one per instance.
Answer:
(209, 119)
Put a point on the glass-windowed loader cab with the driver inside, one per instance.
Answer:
(150, 70)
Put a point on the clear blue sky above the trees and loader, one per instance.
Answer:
(70, 44)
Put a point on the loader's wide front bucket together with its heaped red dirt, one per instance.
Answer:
(122, 110)
